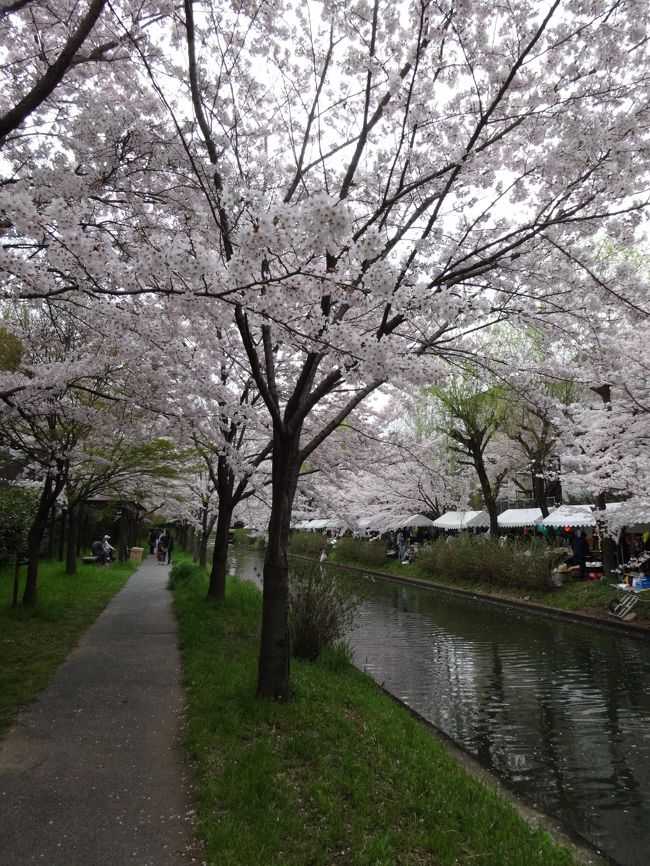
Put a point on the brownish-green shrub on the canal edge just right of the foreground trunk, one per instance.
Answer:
(320, 612)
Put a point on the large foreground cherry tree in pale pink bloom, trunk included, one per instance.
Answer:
(358, 187)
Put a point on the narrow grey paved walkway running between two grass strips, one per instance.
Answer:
(91, 774)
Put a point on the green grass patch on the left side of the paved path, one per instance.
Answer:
(34, 642)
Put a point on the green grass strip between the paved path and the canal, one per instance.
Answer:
(340, 775)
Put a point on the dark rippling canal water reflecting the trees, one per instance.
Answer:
(559, 710)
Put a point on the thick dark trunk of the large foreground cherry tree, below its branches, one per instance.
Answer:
(273, 666)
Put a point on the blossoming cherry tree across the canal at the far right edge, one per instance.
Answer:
(605, 351)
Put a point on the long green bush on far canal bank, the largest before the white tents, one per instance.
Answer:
(476, 558)
